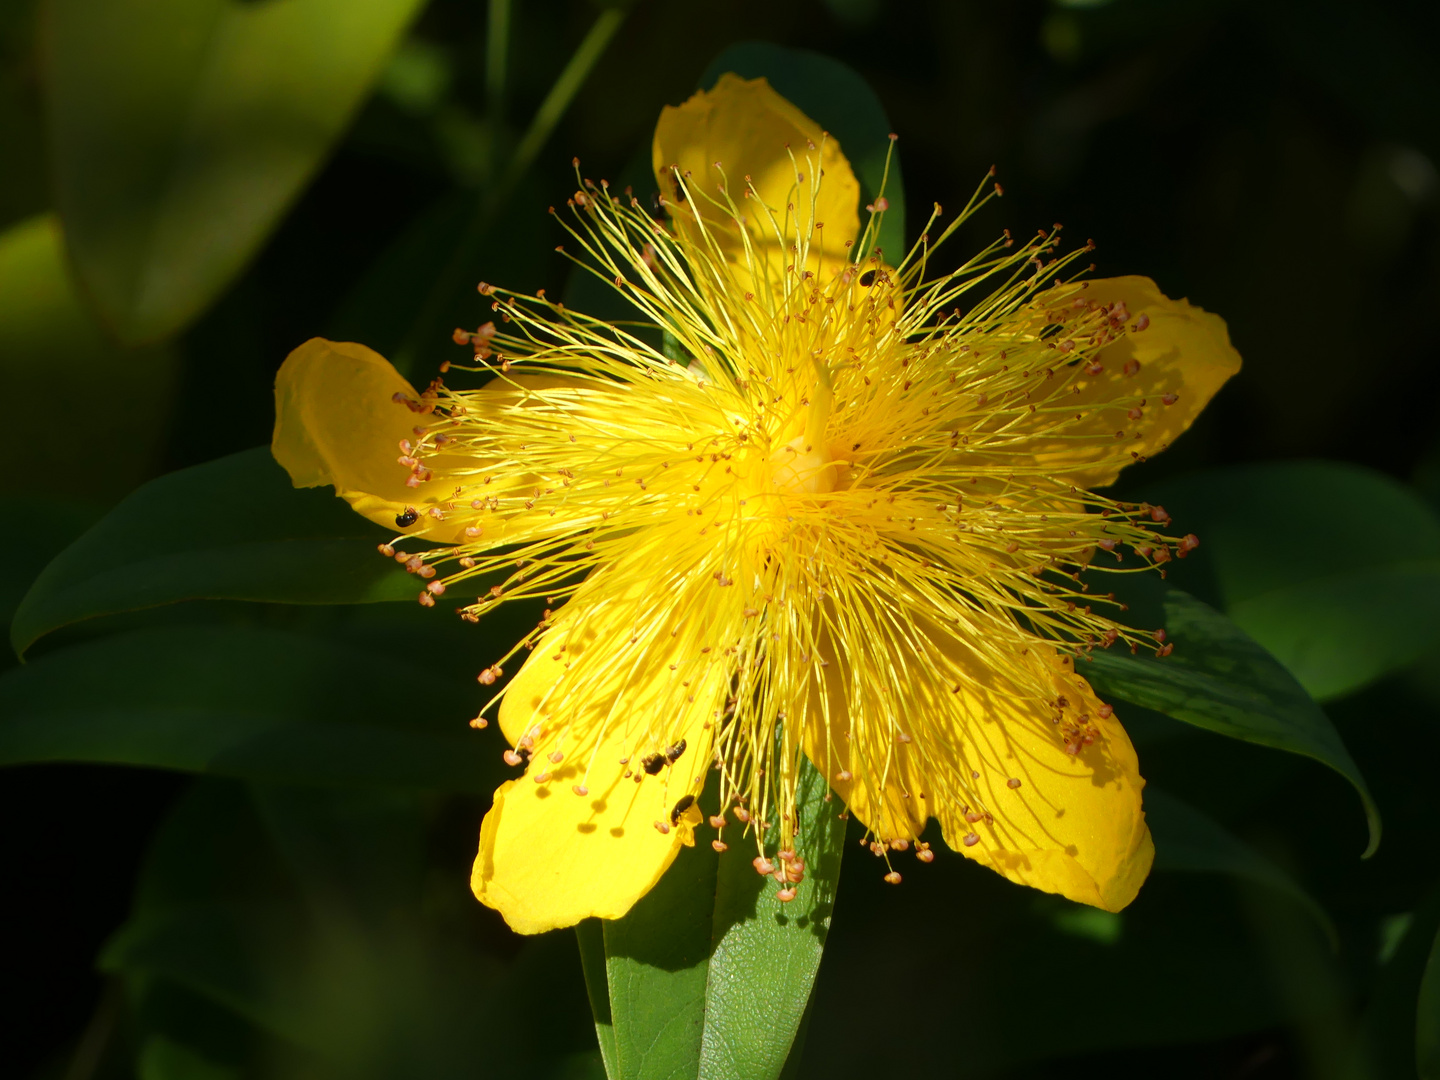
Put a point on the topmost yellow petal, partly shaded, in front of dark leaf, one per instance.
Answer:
(752, 132)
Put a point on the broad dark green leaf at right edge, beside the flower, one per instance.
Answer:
(1333, 568)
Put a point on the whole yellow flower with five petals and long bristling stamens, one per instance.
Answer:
(850, 528)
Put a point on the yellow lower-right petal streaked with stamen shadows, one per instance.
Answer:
(1058, 822)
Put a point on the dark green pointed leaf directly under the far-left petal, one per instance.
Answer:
(233, 529)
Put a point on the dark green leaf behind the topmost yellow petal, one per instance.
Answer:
(839, 100)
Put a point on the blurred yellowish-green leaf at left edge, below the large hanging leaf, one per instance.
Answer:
(48, 343)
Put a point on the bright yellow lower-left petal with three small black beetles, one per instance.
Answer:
(598, 689)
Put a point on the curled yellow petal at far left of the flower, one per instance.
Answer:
(338, 423)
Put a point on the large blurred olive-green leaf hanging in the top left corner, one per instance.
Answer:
(182, 130)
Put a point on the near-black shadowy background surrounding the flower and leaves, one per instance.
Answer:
(1272, 162)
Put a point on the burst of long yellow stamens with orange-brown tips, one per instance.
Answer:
(824, 456)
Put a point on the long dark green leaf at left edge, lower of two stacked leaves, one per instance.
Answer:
(247, 702)
